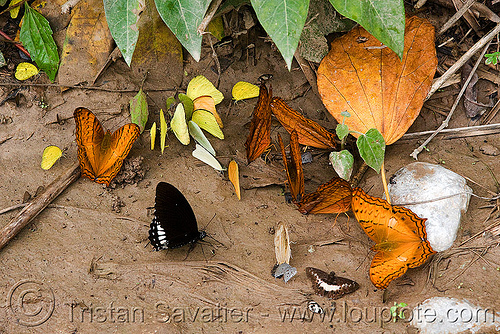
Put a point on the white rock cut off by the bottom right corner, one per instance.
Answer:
(450, 316)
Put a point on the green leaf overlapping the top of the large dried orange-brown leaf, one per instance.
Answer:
(384, 19)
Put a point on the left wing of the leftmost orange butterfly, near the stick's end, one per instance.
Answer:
(89, 135)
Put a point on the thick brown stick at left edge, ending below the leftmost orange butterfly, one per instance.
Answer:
(37, 205)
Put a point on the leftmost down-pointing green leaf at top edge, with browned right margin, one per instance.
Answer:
(122, 17)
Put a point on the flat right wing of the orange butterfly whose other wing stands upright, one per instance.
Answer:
(332, 197)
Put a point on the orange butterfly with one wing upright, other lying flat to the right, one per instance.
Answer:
(331, 197)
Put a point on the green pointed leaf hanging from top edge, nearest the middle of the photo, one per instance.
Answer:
(283, 20)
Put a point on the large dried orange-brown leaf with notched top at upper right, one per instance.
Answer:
(379, 90)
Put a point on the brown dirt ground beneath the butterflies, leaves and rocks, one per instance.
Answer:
(84, 265)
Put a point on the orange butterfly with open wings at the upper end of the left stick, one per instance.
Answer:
(101, 153)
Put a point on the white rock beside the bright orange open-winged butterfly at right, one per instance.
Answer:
(425, 184)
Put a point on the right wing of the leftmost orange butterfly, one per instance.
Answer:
(113, 154)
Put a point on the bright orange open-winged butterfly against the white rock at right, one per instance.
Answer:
(399, 234)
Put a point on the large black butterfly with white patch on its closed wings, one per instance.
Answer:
(174, 223)
